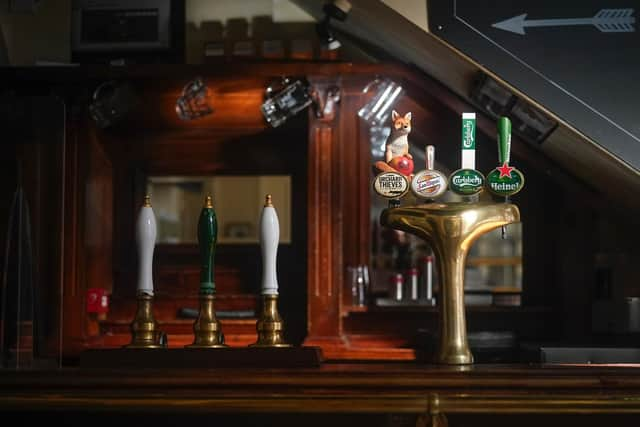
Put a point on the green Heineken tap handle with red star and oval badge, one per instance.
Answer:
(505, 180)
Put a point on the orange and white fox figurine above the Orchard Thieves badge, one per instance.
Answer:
(397, 157)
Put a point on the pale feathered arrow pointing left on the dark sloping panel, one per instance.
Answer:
(607, 21)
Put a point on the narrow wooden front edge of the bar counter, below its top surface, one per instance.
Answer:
(432, 403)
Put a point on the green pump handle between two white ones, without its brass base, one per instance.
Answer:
(207, 239)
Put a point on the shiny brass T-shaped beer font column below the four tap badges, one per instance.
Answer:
(451, 229)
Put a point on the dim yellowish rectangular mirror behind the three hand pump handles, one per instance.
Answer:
(237, 200)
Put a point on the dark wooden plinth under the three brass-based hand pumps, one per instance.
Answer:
(203, 358)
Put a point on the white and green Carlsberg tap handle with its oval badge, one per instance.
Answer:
(467, 180)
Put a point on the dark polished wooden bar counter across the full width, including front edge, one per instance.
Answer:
(332, 388)
